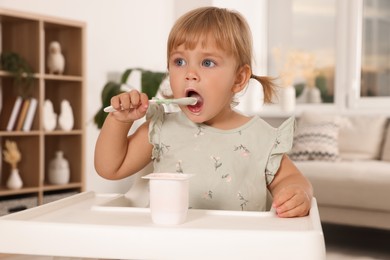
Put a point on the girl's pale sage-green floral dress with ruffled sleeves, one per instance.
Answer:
(231, 168)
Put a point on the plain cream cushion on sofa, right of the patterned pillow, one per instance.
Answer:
(361, 137)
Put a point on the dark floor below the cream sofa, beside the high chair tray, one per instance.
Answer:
(342, 243)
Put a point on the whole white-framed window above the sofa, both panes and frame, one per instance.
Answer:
(342, 48)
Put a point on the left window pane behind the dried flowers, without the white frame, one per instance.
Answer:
(301, 43)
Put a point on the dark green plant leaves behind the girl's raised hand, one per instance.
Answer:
(150, 83)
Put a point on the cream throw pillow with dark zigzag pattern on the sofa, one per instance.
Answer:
(316, 138)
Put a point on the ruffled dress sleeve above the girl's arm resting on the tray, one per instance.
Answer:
(282, 144)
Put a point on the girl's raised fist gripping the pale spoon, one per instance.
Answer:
(130, 106)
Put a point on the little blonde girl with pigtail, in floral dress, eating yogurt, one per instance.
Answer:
(235, 158)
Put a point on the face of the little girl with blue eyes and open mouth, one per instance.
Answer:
(209, 74)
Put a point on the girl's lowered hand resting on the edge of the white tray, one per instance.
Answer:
(292, 201)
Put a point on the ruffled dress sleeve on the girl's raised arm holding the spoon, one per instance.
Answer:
(156, 116)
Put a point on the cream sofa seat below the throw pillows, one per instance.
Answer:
(357, 184)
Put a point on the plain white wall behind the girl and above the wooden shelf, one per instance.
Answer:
(122, 34)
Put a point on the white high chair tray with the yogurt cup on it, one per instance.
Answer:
(106, 226)
